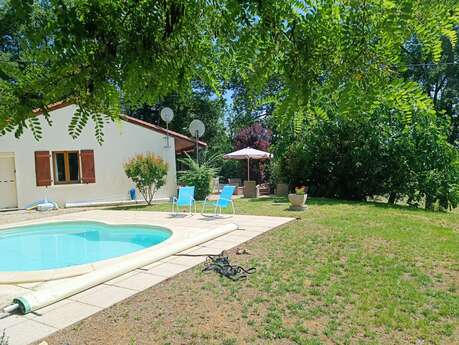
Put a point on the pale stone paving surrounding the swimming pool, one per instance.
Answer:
(23, 330)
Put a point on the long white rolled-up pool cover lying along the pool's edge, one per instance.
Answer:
(49, 295)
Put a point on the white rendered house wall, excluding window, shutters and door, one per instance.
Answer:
(121, 141)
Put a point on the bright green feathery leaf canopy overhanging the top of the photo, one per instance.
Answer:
(140, 51)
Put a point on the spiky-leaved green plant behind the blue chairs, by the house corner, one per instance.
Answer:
(199, 175)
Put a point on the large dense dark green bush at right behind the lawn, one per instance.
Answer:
(359, 157)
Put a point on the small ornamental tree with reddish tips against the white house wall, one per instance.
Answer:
(148, 172)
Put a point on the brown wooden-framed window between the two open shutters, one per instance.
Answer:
(66, 167)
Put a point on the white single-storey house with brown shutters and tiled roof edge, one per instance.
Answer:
(66, 170)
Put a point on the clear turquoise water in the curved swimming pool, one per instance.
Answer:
(58, 245)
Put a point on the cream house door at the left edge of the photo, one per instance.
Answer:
(8, 195)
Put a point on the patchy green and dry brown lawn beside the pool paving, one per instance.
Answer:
(343, 273)
